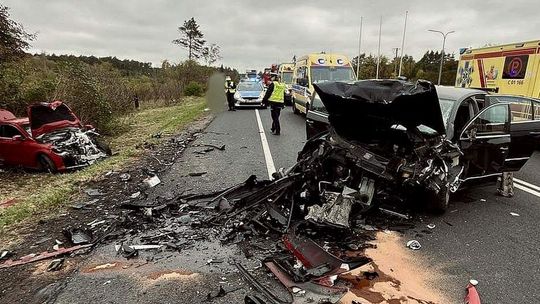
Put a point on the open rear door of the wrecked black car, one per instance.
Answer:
(524, 129)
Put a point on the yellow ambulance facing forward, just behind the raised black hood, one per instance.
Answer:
(313, 68)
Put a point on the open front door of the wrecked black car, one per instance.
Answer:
(485, 141)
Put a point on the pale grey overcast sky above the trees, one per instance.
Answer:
(254, 34)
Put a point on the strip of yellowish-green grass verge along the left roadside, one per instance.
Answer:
(41, 195)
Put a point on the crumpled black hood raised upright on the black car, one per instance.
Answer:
(360, 108)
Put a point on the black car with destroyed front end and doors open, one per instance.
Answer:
(393, 139)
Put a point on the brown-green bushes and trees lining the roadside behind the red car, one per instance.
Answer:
(98, 89)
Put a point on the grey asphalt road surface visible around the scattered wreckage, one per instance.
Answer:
(477, 238)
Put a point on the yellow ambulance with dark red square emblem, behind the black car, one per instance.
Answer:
(512, 69)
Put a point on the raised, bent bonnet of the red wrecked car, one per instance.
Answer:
(47, 117)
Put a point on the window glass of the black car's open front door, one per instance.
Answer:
(490, 122)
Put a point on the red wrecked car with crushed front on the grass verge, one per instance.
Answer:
(51, 138)
